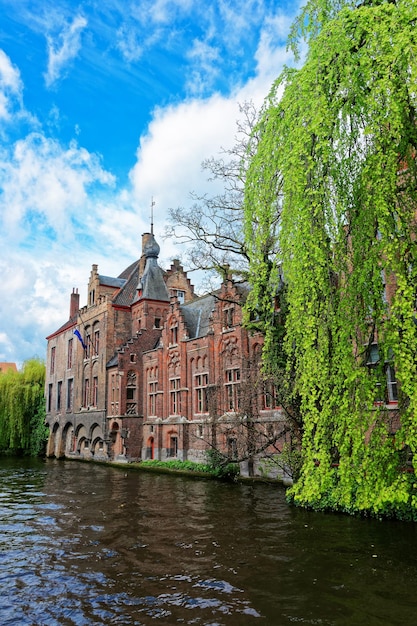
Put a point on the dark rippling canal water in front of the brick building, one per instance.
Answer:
(86, 544)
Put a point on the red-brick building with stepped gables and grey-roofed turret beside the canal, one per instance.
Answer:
(148, 370)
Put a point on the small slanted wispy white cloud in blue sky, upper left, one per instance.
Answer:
(64, 49)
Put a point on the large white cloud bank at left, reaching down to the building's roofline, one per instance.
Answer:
(50, 226)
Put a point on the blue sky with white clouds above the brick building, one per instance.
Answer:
(106, 106)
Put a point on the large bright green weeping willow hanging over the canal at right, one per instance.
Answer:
(337, 159)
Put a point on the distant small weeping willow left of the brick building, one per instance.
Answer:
(22, 410)
